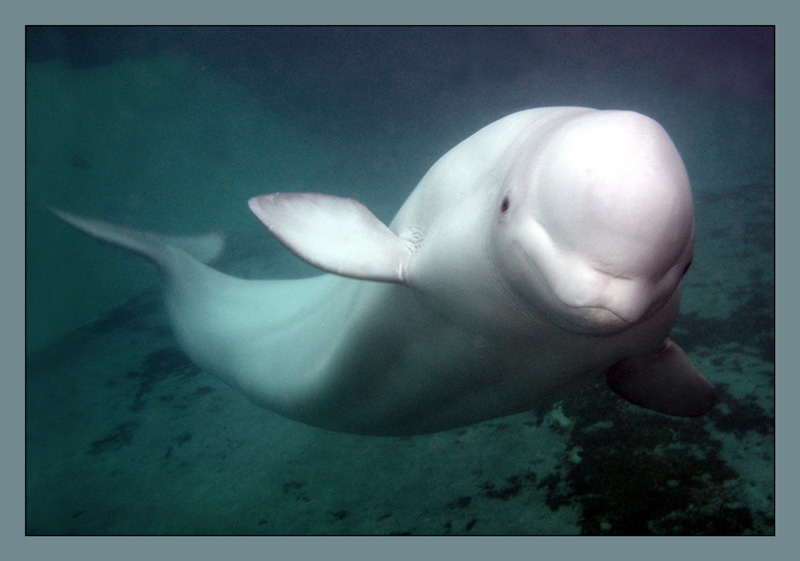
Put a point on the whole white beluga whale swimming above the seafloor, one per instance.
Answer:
(543, 252)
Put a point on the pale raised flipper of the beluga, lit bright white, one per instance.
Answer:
(335, 234)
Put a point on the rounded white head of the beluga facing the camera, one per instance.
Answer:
(594, 227)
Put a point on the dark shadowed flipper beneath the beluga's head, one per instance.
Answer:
(666, 382)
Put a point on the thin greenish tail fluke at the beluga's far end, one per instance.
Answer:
(155, 247)
